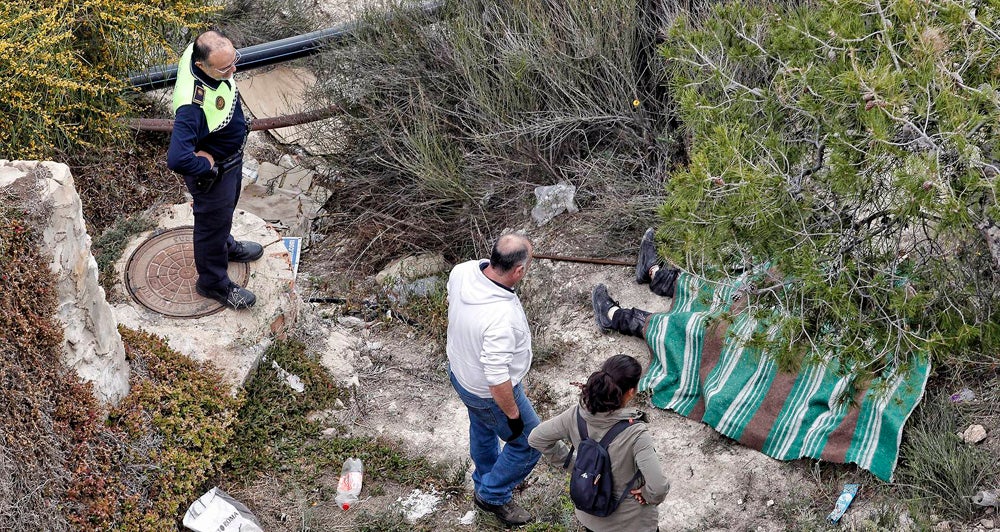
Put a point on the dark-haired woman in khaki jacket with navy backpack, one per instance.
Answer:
(603, 403)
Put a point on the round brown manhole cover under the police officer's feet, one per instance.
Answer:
(160, 275)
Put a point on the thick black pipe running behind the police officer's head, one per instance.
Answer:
(268, 53)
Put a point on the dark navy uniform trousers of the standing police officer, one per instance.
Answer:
(213, 223)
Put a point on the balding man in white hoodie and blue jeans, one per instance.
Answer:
(489, 354)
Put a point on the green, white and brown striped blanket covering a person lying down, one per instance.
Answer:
(702, 369)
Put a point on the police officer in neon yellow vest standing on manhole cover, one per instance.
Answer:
(206, 147)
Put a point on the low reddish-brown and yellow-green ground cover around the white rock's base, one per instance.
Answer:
(71, 463)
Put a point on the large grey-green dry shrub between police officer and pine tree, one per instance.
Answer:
(451, 123)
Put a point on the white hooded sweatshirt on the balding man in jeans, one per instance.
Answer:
(489, 341)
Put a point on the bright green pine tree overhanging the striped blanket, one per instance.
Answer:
(851, 147)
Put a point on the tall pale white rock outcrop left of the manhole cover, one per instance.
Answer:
(92, 345)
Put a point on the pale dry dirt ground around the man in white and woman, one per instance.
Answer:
(403, 393)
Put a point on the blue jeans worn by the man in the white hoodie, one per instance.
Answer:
(498, 471)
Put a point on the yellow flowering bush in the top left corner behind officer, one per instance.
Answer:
(63, 64)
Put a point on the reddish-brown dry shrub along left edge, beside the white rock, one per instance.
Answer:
(49, 420)
